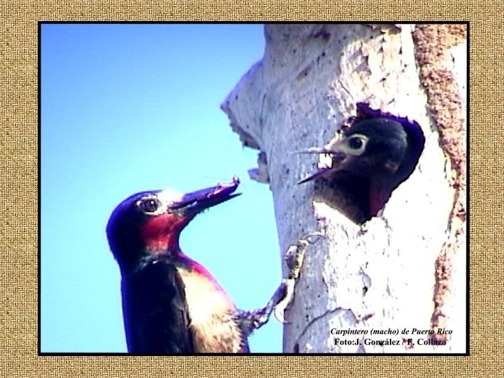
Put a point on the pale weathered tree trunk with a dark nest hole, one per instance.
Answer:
(394, 272)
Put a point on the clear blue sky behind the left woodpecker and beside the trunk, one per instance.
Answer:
(133, 107)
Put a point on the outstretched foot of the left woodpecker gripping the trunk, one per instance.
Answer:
(284, 294)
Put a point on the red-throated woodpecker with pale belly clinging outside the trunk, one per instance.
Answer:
(172, 304)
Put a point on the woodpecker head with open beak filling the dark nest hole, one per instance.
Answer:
(372, 157)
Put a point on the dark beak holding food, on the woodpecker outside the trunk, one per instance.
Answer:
(200, 200)
